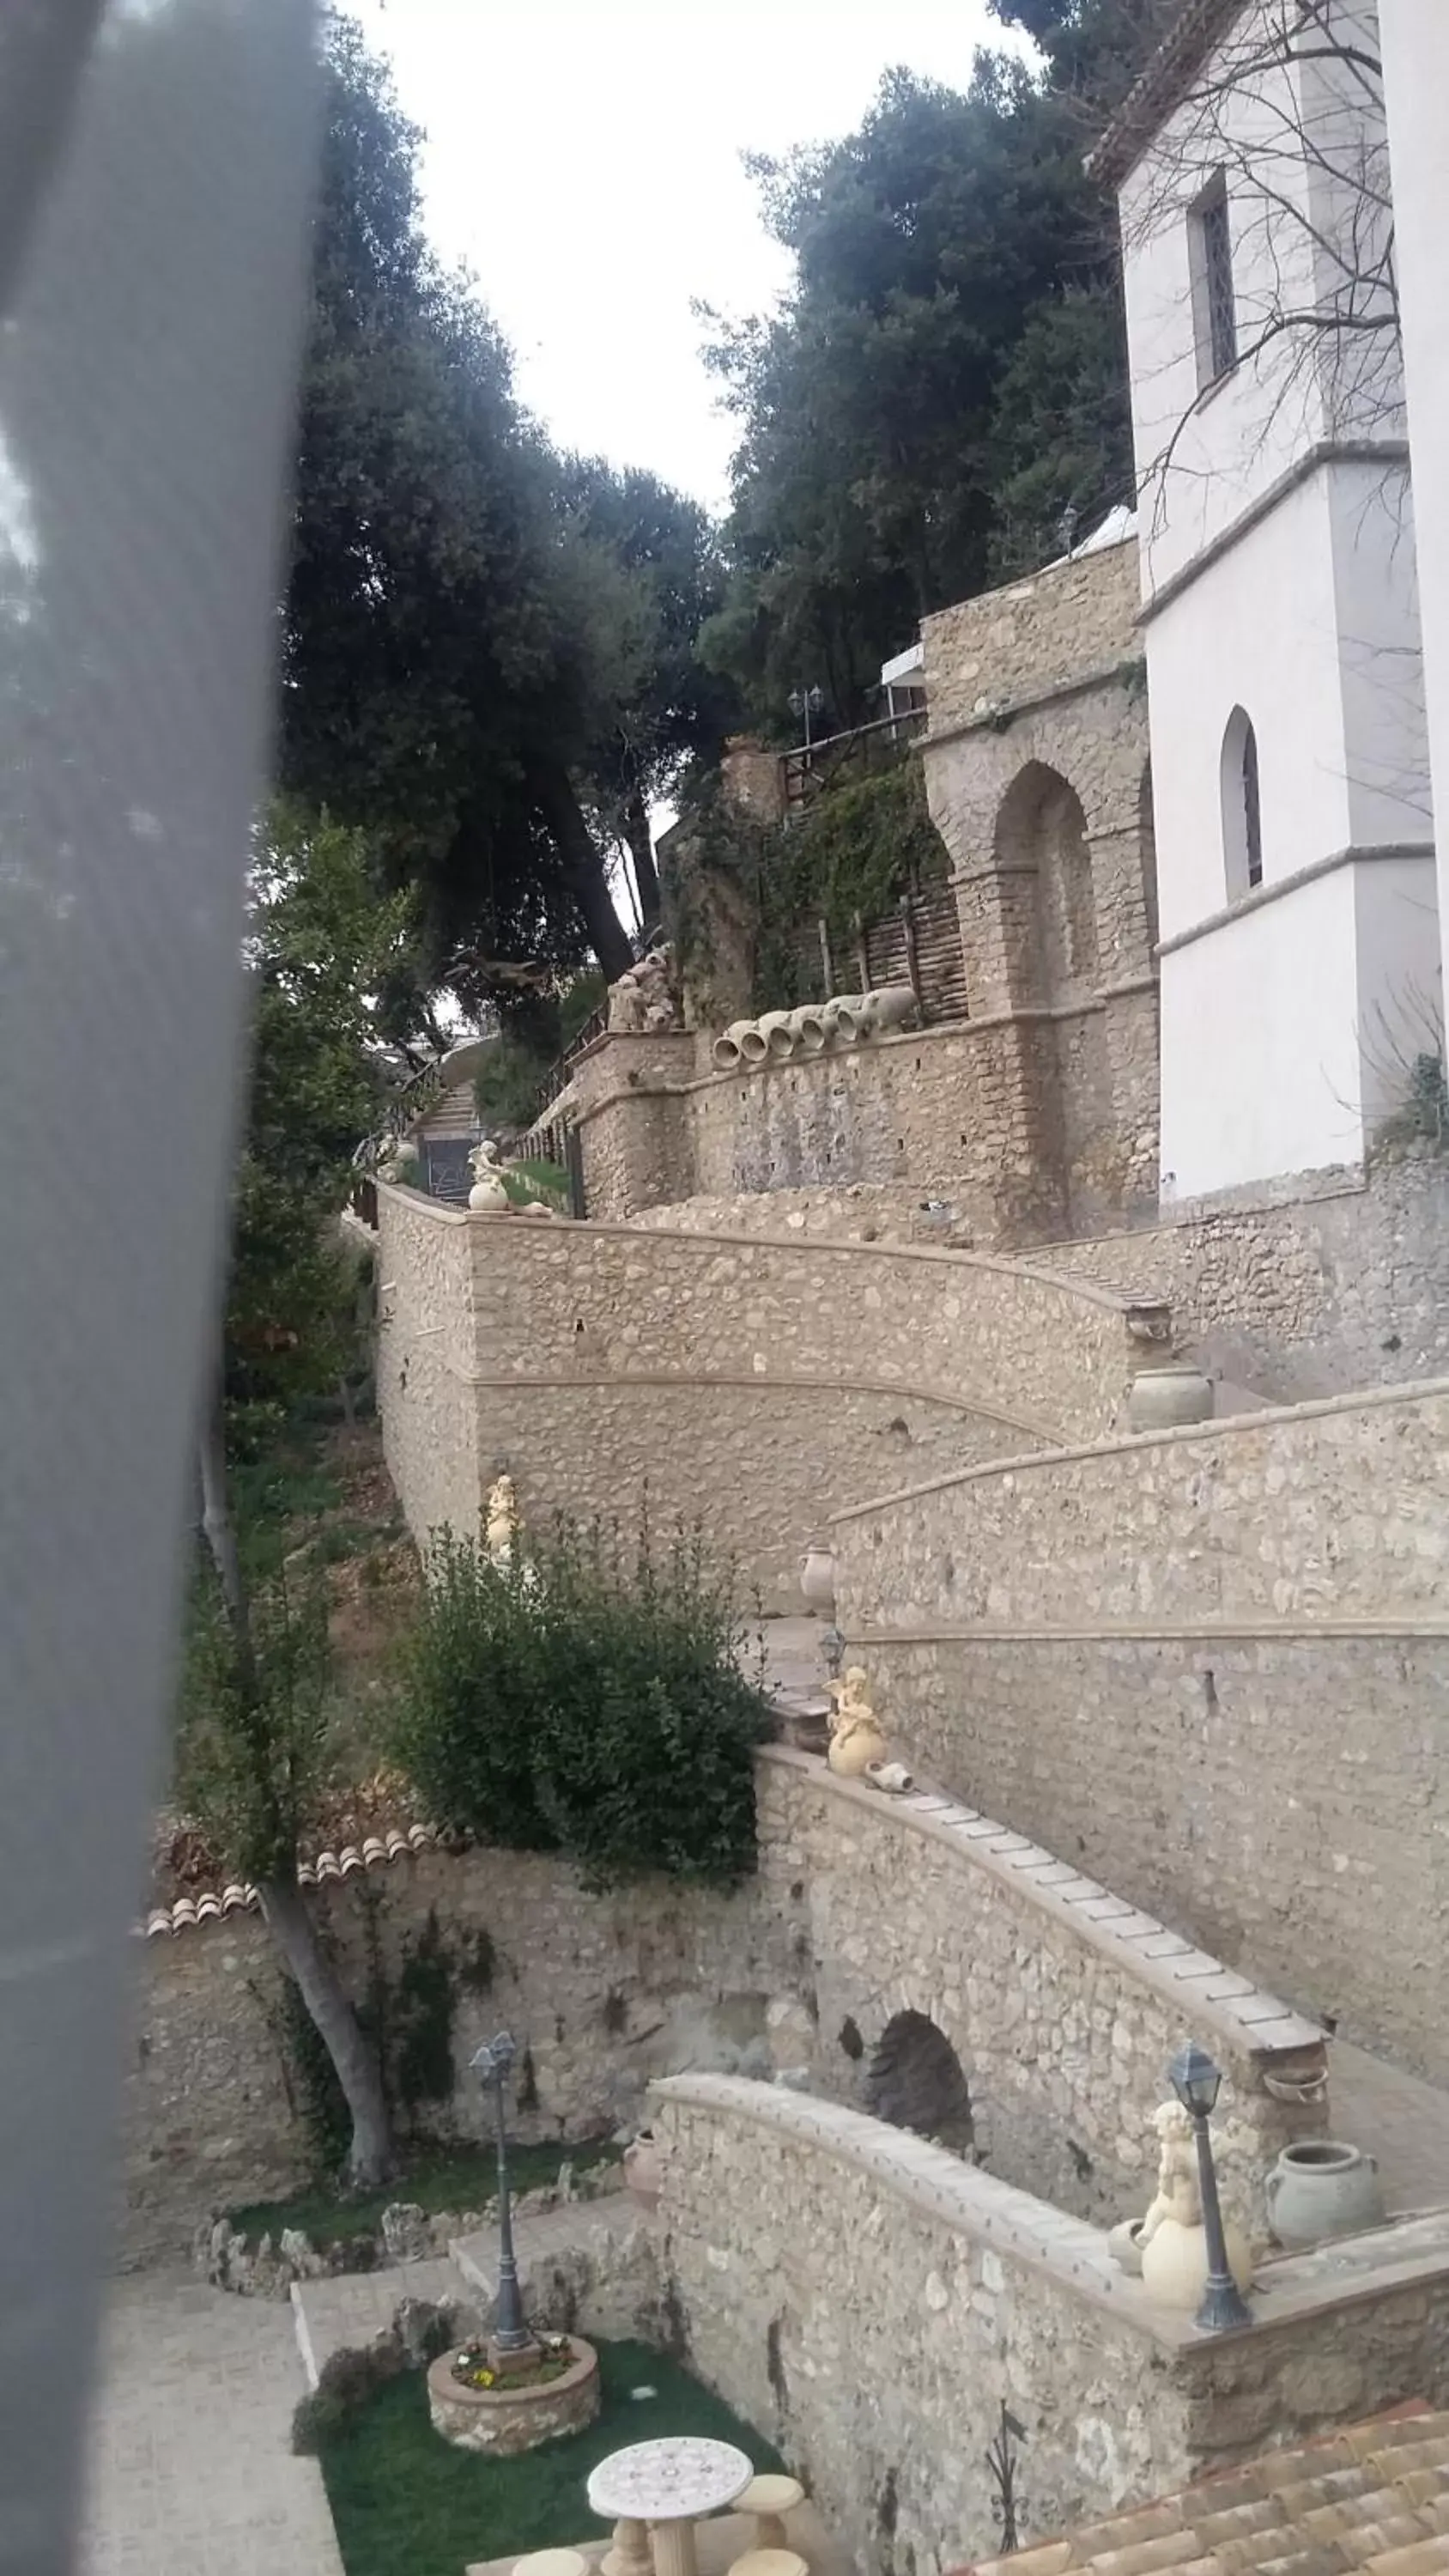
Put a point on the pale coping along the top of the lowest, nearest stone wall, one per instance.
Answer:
(1067, 2253)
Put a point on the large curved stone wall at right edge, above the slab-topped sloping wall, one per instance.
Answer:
(1214, 1665)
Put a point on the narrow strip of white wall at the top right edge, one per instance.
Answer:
(1417, 84)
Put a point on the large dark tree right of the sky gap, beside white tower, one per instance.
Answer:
(892, 413)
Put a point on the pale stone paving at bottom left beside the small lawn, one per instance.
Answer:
(189, 2448)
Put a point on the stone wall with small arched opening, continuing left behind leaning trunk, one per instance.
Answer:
(863, 1908)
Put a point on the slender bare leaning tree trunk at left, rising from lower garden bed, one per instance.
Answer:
(284, 1905)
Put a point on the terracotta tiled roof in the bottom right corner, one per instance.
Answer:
(1373, 2497)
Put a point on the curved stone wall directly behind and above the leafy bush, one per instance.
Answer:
(753, 1387)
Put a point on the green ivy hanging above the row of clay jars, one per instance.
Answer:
(845, 862)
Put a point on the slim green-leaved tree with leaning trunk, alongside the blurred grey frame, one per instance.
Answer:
(254, 1719)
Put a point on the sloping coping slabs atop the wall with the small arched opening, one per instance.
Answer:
(1239, 2016)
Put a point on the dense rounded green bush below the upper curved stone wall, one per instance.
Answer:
(591, 1704)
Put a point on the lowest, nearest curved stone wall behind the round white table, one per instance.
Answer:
(871, 2302)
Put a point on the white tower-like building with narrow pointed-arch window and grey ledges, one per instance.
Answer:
(1280, 601)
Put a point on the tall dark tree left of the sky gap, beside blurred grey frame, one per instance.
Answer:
(431, 674)
